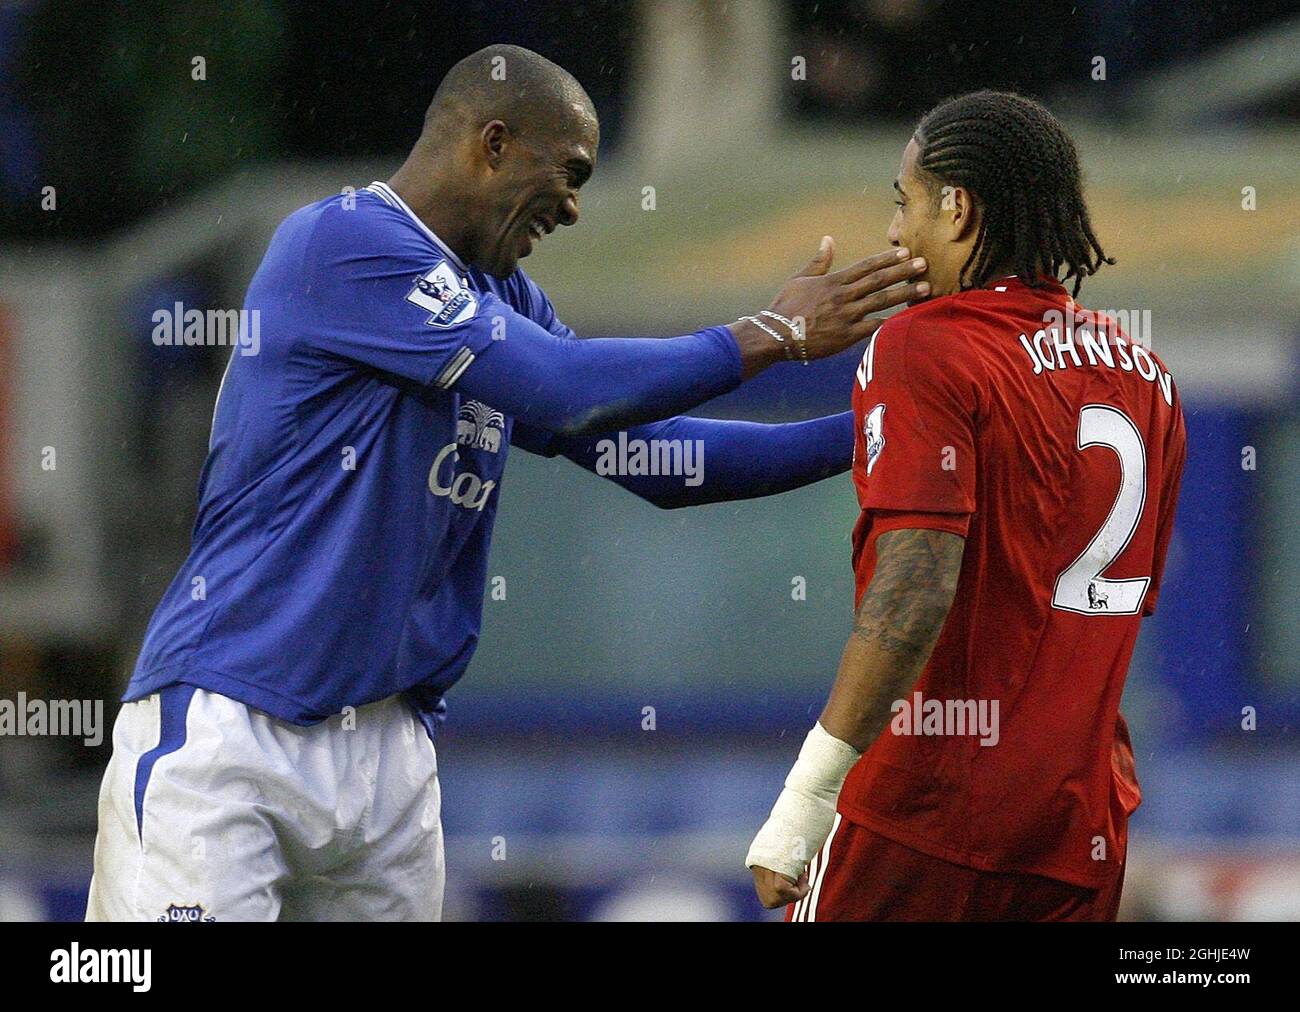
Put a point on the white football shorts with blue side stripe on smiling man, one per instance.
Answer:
(213, 811)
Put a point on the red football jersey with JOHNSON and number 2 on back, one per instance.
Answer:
(1056, 447)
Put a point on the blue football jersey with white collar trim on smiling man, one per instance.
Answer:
(349, 494)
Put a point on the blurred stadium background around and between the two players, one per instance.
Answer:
(149, 150)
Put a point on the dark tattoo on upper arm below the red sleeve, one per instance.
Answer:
(911, 593)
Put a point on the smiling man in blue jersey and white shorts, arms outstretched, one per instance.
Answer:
(274, 758)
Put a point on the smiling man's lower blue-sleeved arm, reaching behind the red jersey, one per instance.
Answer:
(708, 460)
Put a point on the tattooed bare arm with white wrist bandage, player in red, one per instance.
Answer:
(899, 621)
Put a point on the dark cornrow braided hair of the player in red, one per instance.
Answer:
(1022, 168)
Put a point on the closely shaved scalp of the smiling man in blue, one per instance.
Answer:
(525, 90)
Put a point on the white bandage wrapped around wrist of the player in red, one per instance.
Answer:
(805, 811)
